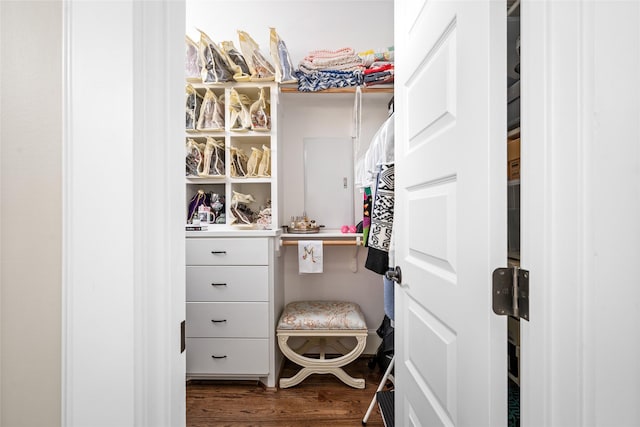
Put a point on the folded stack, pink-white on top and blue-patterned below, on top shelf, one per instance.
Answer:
(324, 69)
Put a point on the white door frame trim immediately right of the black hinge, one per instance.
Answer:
(557, 89)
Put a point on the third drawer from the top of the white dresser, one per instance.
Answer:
(227, 319)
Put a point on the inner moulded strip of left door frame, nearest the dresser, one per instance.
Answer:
(159, 29)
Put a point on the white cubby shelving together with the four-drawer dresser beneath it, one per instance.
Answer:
(234, 274)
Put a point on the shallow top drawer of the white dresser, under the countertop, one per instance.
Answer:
(223, 251)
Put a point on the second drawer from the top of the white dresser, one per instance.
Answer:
(228, 283)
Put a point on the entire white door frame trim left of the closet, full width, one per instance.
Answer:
(137, 320)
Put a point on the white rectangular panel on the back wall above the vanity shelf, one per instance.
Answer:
(328, 181)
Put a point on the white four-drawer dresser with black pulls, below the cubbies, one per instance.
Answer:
(233, 301)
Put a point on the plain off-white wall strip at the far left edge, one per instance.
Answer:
(30, 212)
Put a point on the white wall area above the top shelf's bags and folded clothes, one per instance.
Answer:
(304, 25)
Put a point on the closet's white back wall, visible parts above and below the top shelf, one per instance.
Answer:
(306, 26)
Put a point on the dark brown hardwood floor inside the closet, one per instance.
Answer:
(320, 400)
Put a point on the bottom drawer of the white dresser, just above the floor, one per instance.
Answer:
(228, 356)
